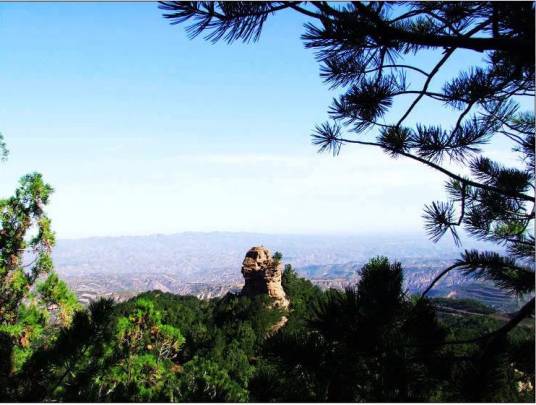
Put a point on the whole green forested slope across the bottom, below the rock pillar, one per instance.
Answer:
(369, 343)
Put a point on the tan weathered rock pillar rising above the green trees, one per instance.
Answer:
(262, 275)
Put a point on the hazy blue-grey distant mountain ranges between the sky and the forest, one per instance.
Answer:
(208, 264)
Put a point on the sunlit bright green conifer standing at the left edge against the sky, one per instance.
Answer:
(33, 300)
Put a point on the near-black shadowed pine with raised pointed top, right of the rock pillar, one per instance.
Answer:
(364, 344)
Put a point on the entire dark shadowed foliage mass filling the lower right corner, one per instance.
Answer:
(372, 343)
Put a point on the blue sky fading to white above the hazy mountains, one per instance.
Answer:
(141, 130)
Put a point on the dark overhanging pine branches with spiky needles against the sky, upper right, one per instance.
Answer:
(365, 50)
